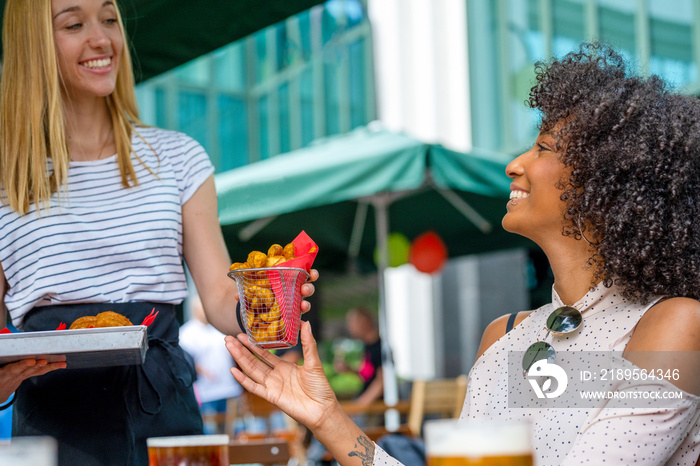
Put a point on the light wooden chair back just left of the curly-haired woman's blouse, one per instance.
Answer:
(443, 397)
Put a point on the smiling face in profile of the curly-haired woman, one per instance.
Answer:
(535, 209)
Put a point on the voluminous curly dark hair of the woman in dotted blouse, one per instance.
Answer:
(633, 147)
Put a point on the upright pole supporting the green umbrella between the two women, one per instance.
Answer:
(391, 392)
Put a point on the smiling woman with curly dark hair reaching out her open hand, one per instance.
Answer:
(610, 193)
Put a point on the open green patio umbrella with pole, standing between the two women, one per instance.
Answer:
(332, 188)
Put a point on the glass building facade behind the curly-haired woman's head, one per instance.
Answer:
(507, 36)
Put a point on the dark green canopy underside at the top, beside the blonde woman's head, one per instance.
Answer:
(168, 33)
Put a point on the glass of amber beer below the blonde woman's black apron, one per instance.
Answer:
(188, 450)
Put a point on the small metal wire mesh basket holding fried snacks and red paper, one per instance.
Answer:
(270, 304)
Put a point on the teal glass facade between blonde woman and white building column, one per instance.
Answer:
(308, 77)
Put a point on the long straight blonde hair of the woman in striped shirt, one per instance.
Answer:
(32, 126)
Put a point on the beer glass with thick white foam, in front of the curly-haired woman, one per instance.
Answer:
(450, 442)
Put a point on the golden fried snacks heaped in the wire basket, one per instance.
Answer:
(263, 314)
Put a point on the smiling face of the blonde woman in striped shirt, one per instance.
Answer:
(89, 43)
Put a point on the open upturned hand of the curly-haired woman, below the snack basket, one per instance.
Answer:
(303, 392)
